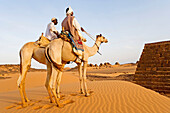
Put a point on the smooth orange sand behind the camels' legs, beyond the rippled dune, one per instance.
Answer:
(33, 79)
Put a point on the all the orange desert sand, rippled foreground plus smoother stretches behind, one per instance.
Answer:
(111, 96)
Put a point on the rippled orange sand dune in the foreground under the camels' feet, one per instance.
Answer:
(106, 97)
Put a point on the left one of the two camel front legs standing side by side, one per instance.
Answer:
(81, 78)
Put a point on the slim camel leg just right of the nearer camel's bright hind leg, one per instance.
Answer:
(59, 81)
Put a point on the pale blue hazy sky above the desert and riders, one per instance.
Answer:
(127, 24)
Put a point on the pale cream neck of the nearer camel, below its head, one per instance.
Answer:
(93, 50)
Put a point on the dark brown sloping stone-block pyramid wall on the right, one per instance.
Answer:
(153, 69)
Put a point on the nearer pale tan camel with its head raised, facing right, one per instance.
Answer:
(58, 53)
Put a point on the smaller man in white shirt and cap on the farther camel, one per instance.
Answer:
(51, 32)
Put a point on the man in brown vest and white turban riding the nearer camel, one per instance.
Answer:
(71, 25)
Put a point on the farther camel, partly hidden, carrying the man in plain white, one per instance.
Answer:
(34, 50)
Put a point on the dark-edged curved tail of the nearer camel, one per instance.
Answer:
(58, 66)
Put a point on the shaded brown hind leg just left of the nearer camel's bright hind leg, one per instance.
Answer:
(49, 69)
